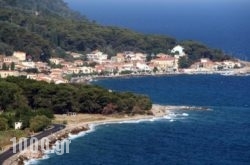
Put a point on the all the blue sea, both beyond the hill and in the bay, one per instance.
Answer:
(220, 135)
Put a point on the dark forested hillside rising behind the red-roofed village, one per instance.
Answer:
(47, 28)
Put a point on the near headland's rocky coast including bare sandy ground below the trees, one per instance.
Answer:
(75, 128)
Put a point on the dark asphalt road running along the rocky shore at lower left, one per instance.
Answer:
(7, 154)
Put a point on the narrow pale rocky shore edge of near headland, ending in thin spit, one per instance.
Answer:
(27, 154)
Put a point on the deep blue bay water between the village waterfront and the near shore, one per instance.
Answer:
(219, 136)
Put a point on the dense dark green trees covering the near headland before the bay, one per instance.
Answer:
(22, 99)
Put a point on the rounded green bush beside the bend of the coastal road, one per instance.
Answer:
(38, 123)
